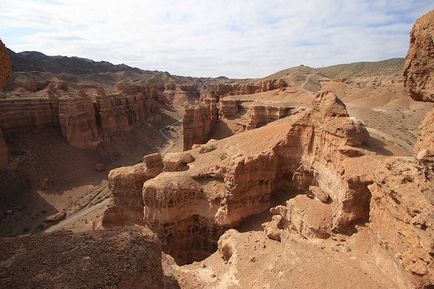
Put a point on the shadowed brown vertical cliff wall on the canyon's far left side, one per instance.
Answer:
(83, 119)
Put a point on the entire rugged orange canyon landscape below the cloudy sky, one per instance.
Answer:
(115, 177)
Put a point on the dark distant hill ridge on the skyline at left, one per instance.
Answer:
(37, 61)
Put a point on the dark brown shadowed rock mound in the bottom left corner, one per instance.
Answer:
(128, 257)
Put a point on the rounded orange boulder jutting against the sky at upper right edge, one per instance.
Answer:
(419, 64)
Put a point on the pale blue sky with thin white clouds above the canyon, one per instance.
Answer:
(235, 38)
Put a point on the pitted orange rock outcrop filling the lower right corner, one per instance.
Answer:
(401, 218)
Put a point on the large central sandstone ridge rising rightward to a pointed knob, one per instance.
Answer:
(189, 209)
